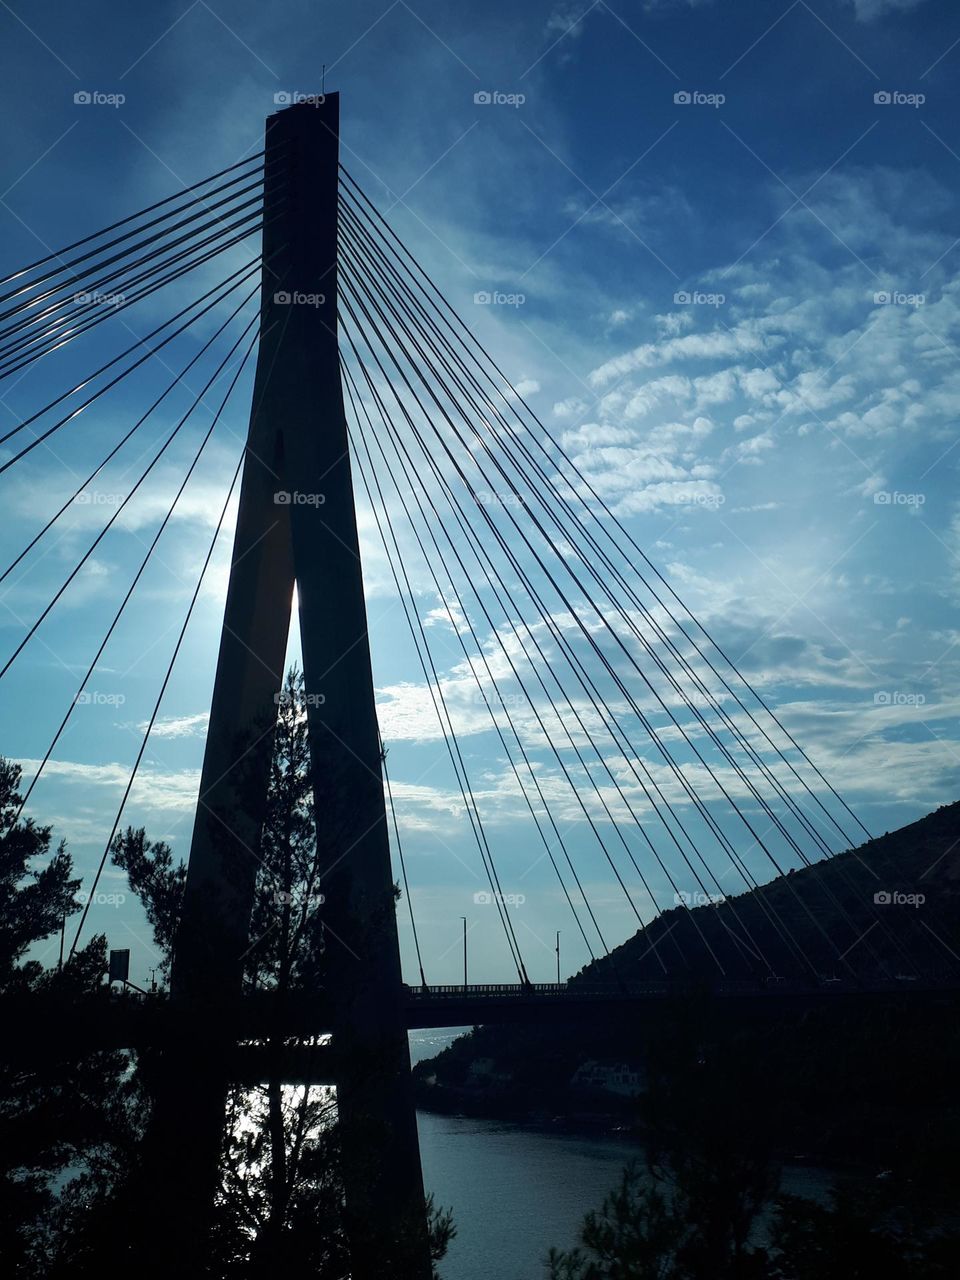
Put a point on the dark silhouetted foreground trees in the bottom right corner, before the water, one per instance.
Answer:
(705, 1203)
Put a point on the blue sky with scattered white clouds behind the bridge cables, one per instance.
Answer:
(728, 239)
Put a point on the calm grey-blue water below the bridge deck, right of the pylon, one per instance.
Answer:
(516, 1192)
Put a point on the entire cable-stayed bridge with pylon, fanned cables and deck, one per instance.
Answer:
(621, 723)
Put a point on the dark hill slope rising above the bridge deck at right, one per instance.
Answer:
(889, 908)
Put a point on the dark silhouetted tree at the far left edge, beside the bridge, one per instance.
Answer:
(67, 1123)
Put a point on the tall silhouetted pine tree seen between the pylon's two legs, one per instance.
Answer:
(281, 1201)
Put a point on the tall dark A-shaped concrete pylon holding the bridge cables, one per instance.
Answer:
(298, 527)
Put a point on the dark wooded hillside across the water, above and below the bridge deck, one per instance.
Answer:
(857, 1080)
